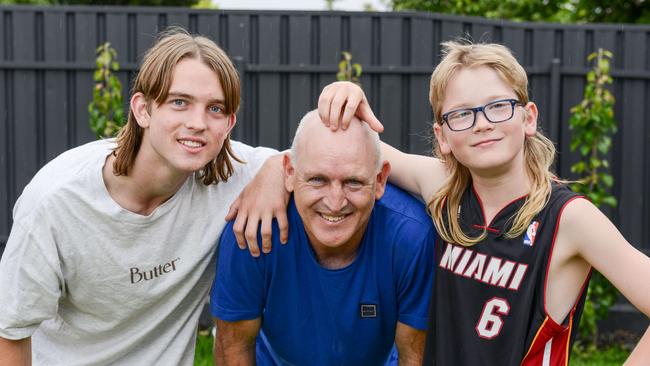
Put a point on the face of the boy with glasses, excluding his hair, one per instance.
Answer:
(486, 148)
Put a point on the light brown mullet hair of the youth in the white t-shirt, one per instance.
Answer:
(154, 80)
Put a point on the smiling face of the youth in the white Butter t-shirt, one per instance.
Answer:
(187, 130)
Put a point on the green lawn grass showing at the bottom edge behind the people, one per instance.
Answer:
(609, 356)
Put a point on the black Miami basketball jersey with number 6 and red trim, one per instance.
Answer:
(488, 304)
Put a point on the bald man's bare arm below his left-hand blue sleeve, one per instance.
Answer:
(235, 342)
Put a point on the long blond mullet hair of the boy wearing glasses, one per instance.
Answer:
(539, 151)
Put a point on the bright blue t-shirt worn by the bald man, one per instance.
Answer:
(316, 316)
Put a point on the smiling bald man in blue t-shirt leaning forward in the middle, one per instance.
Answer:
(355, 277)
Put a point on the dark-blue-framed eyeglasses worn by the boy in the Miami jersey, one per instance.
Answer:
(495, 112)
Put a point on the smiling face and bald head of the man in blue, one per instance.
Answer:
(335, 183)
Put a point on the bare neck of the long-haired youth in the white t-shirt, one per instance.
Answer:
(147, 186)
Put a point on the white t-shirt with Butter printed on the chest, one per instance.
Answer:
(94, 283)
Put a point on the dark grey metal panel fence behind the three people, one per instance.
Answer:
(47, 60)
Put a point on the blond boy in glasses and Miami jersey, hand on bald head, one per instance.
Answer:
(517, 246)
